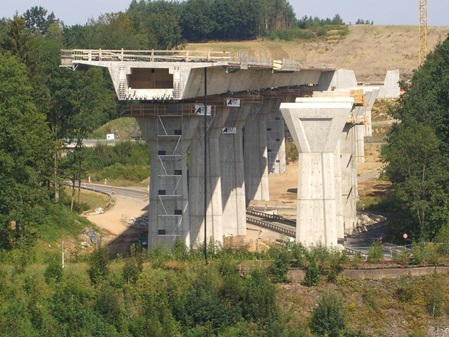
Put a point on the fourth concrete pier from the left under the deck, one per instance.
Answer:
(255, 153)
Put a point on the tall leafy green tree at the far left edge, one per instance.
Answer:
(25, 150)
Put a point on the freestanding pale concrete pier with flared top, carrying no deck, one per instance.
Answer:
(316, 124)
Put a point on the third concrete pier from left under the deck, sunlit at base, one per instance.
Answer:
(232, 168)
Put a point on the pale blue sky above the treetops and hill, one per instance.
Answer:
(382, 12)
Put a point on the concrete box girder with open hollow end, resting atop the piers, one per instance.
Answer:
(180, 80)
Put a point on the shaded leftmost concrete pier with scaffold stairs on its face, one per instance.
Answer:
(168, 135)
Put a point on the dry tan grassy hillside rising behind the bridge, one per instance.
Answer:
(369, 50)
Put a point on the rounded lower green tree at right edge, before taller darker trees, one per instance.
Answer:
(418, 175)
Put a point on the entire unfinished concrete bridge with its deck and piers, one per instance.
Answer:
(216, 123)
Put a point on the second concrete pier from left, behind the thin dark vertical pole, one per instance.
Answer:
(214, 218)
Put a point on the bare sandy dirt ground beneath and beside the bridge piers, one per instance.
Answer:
(119, 228)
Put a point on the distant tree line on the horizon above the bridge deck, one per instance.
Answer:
(165, 24)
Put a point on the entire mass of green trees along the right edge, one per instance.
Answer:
(416, 154)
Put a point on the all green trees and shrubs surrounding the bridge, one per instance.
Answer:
(173, 293)
